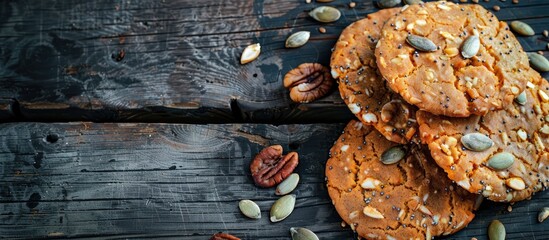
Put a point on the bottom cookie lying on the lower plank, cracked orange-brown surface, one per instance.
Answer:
(407, 200)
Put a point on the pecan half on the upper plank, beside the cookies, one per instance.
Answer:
(308, 82)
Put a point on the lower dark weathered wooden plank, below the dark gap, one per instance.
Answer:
(178, 181)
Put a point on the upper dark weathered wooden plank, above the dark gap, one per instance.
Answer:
(177, 61)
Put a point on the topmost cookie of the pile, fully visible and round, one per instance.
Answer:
(443, 82)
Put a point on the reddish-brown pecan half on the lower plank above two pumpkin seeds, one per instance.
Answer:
(270, 167)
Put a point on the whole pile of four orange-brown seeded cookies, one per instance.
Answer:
(449, 113)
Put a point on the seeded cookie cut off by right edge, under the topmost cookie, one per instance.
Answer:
(521, 130)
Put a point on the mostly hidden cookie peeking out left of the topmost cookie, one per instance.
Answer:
(360, 85)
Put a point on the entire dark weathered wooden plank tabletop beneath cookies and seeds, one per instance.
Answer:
(134, 119)
